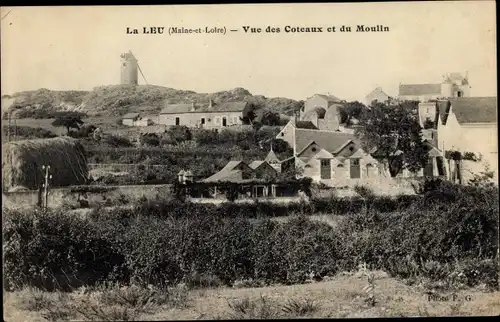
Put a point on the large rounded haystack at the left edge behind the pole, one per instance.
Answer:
(22, 163)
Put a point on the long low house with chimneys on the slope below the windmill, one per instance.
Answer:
(209, 116)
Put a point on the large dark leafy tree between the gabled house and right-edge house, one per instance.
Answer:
(394, 133)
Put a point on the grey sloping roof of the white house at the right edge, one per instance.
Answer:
(475, 109)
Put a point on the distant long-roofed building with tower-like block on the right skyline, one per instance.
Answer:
(453, 85)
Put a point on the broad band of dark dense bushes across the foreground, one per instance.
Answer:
(452, 242)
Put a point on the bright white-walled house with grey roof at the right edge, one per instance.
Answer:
(469, 125)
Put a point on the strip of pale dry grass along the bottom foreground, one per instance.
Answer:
(340, 296)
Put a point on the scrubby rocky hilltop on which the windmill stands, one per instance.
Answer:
(116, 100)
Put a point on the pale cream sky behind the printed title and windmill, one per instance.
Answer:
(78, 48)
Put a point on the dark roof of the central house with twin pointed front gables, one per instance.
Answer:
(328, 140)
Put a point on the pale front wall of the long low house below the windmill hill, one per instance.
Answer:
(194, 119)
